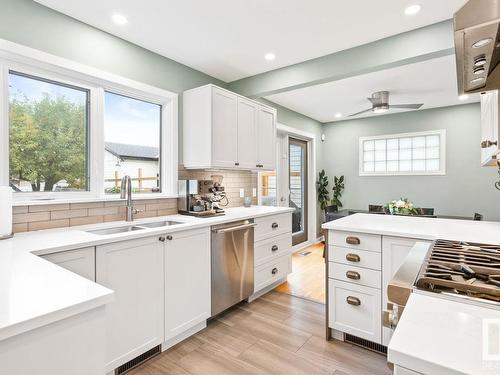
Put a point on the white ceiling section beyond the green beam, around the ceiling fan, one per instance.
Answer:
(433, 82)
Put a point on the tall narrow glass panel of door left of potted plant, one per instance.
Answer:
(298, 188)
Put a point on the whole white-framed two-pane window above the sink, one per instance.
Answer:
(74, 131)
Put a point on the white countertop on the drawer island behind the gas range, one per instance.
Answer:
(419, 227)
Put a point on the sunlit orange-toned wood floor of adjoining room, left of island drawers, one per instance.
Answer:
(307, 279)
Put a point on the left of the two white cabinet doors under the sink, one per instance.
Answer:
(134, 320)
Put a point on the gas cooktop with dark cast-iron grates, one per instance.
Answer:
(462, 270)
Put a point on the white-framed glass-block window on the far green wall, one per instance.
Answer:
(421, 153)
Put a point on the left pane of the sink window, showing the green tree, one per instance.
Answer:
(47, 136)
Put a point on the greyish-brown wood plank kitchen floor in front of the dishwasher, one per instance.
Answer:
(276, 334)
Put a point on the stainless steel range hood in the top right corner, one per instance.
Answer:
(477, 44)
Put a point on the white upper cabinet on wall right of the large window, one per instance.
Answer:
(222, 129)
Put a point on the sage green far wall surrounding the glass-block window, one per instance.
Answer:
(466, 188)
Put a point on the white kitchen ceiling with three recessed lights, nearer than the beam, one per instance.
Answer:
(228, 38)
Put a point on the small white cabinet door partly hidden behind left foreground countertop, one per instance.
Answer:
(80, 261)
